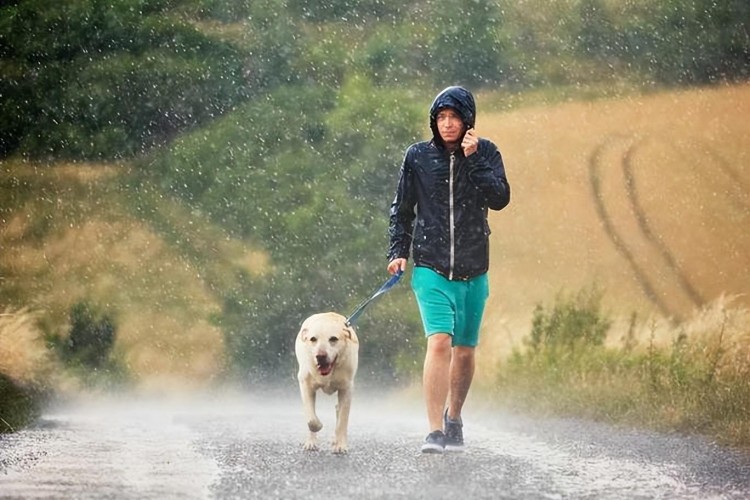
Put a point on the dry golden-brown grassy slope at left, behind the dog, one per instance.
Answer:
(75, 232)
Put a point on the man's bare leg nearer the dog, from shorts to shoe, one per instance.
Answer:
(436, 377)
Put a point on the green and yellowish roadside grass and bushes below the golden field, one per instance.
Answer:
(686, 386)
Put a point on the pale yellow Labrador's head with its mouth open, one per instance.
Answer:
(326, 337)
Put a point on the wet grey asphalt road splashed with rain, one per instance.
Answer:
(249, 446)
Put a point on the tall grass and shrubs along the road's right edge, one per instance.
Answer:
(690, 377)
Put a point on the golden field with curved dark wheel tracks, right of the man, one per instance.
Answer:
(648, 198)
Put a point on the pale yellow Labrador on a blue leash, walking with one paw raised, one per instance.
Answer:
(327, 351)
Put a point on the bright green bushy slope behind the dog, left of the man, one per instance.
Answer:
(308, 175)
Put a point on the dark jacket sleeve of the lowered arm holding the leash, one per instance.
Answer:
(402, 213)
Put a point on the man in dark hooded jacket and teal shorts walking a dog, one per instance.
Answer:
(445, 188)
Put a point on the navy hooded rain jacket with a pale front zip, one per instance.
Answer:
(442, 198)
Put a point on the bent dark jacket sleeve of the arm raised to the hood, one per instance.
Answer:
(487, 173)
